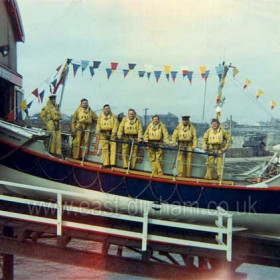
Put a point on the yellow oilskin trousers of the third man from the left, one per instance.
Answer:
(109, 148)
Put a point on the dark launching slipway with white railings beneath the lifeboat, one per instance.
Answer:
(125, 243)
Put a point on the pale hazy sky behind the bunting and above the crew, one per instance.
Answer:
(180, 33)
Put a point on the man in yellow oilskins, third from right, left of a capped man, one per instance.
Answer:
(155, 133)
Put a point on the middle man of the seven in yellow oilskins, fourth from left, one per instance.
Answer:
(130, 129)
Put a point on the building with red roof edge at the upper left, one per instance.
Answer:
(11, 32)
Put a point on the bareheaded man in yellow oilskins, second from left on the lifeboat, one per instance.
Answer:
(81, 128)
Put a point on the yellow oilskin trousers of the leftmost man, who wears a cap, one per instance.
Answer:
(55, 142)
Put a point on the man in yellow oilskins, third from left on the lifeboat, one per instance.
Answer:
(107, 127)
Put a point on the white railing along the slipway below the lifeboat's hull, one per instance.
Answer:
(222, 227)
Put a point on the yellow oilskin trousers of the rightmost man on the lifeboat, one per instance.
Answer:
(210, 165)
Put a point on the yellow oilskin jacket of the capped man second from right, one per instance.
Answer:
(185, 134)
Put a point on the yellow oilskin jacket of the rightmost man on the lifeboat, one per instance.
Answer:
(216, 137)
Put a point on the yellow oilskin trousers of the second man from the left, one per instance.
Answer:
(81, 140)
